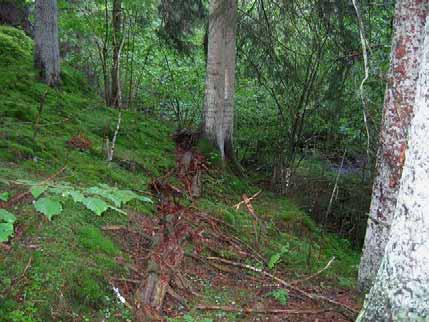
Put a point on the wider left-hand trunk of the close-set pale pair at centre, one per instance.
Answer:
(215, 78)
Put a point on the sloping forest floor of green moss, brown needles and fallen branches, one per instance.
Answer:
(190, 253)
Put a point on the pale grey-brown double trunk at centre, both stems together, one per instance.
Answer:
(218, 121)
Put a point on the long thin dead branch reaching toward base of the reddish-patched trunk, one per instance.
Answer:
(344, 309)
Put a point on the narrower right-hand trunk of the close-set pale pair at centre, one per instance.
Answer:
(230, 52)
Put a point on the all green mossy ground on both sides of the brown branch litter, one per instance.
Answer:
(60, 270)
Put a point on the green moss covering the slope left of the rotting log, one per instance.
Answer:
(72, 257)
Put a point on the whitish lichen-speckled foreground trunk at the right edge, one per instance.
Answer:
(401, 288)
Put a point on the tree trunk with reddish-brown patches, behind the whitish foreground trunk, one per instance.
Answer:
(398, 110)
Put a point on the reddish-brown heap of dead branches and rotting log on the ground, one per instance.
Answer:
(168, 263)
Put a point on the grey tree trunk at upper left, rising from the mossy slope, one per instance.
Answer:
(47, 52)
